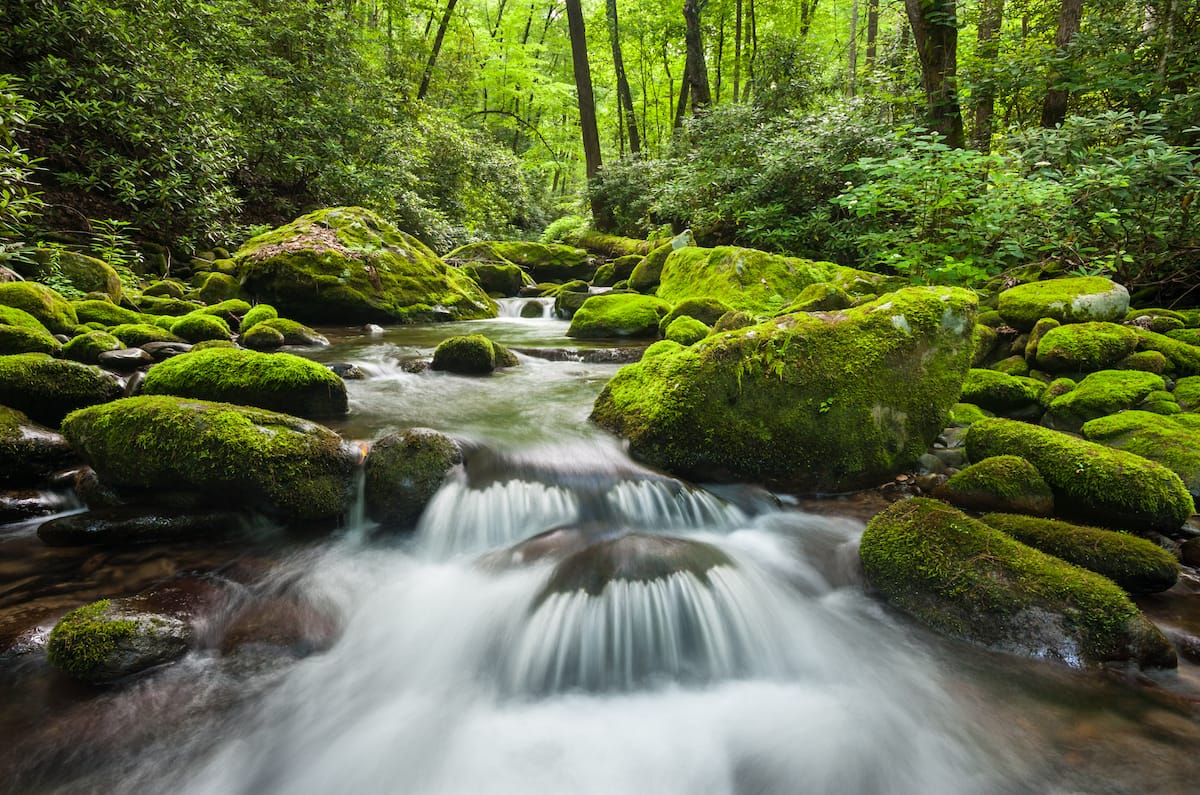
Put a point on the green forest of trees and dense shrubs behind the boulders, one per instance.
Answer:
(947, 142)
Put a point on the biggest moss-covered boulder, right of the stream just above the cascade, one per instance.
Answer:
(812, 403)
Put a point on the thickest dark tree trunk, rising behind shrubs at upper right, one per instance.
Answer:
(937, 34)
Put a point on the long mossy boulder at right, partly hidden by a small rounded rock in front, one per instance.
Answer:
(1091, 482)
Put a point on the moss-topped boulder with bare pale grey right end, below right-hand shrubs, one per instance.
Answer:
(1077, 300)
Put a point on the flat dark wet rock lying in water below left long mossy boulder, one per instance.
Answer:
(136, 525)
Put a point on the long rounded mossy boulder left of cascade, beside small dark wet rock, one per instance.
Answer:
(291, 467)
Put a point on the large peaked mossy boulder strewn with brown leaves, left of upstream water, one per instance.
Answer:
(349, 266)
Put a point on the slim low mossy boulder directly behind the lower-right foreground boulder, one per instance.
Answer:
(1135, 564)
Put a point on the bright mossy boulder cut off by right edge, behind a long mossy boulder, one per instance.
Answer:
(1153, 437)
